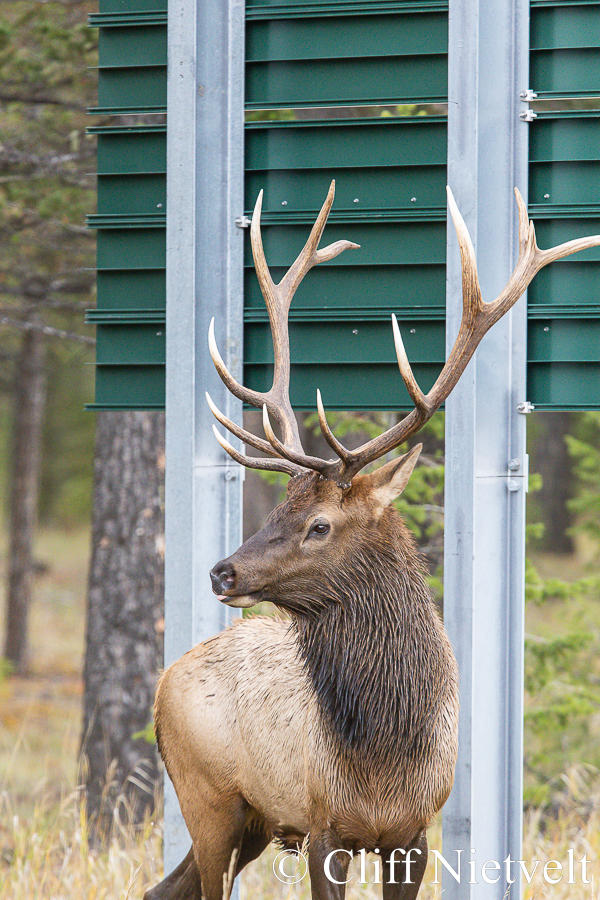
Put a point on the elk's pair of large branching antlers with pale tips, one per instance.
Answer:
(477, 318)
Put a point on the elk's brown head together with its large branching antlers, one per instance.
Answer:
(329, 504)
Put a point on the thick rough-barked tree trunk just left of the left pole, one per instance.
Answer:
(125, 616)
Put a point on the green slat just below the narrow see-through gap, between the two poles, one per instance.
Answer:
(351, 144)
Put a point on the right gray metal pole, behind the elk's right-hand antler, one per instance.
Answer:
(485, 449)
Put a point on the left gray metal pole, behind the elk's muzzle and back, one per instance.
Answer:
(205, 171)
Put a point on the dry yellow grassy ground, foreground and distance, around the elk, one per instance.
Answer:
(43, 835)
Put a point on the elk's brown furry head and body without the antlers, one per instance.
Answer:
(342, 724)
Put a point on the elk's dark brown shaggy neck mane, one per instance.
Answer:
(373, 654)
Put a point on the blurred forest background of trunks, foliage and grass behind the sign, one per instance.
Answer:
(72, 543)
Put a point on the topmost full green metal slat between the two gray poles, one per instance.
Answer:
(348, 36)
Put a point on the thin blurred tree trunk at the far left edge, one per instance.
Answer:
(29, 400)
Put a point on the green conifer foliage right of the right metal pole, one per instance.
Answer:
(562, 670)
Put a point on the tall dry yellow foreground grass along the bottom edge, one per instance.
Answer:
(46, 856)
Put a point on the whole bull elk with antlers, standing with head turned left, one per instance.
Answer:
(340, 724)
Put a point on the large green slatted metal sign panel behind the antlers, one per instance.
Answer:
(390, 172)
